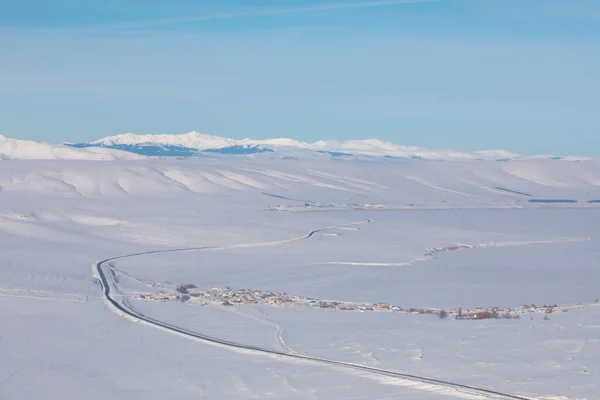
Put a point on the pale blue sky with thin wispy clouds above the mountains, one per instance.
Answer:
(465, 74)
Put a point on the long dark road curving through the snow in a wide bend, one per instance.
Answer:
(123, 309)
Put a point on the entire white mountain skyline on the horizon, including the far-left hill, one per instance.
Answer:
(133, 146)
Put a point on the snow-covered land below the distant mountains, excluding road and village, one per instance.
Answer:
(388, 222)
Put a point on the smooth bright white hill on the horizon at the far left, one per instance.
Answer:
(11, 149)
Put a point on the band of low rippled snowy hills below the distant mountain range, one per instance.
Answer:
(323, 181)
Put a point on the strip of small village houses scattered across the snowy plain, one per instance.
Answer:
(189, 293)
